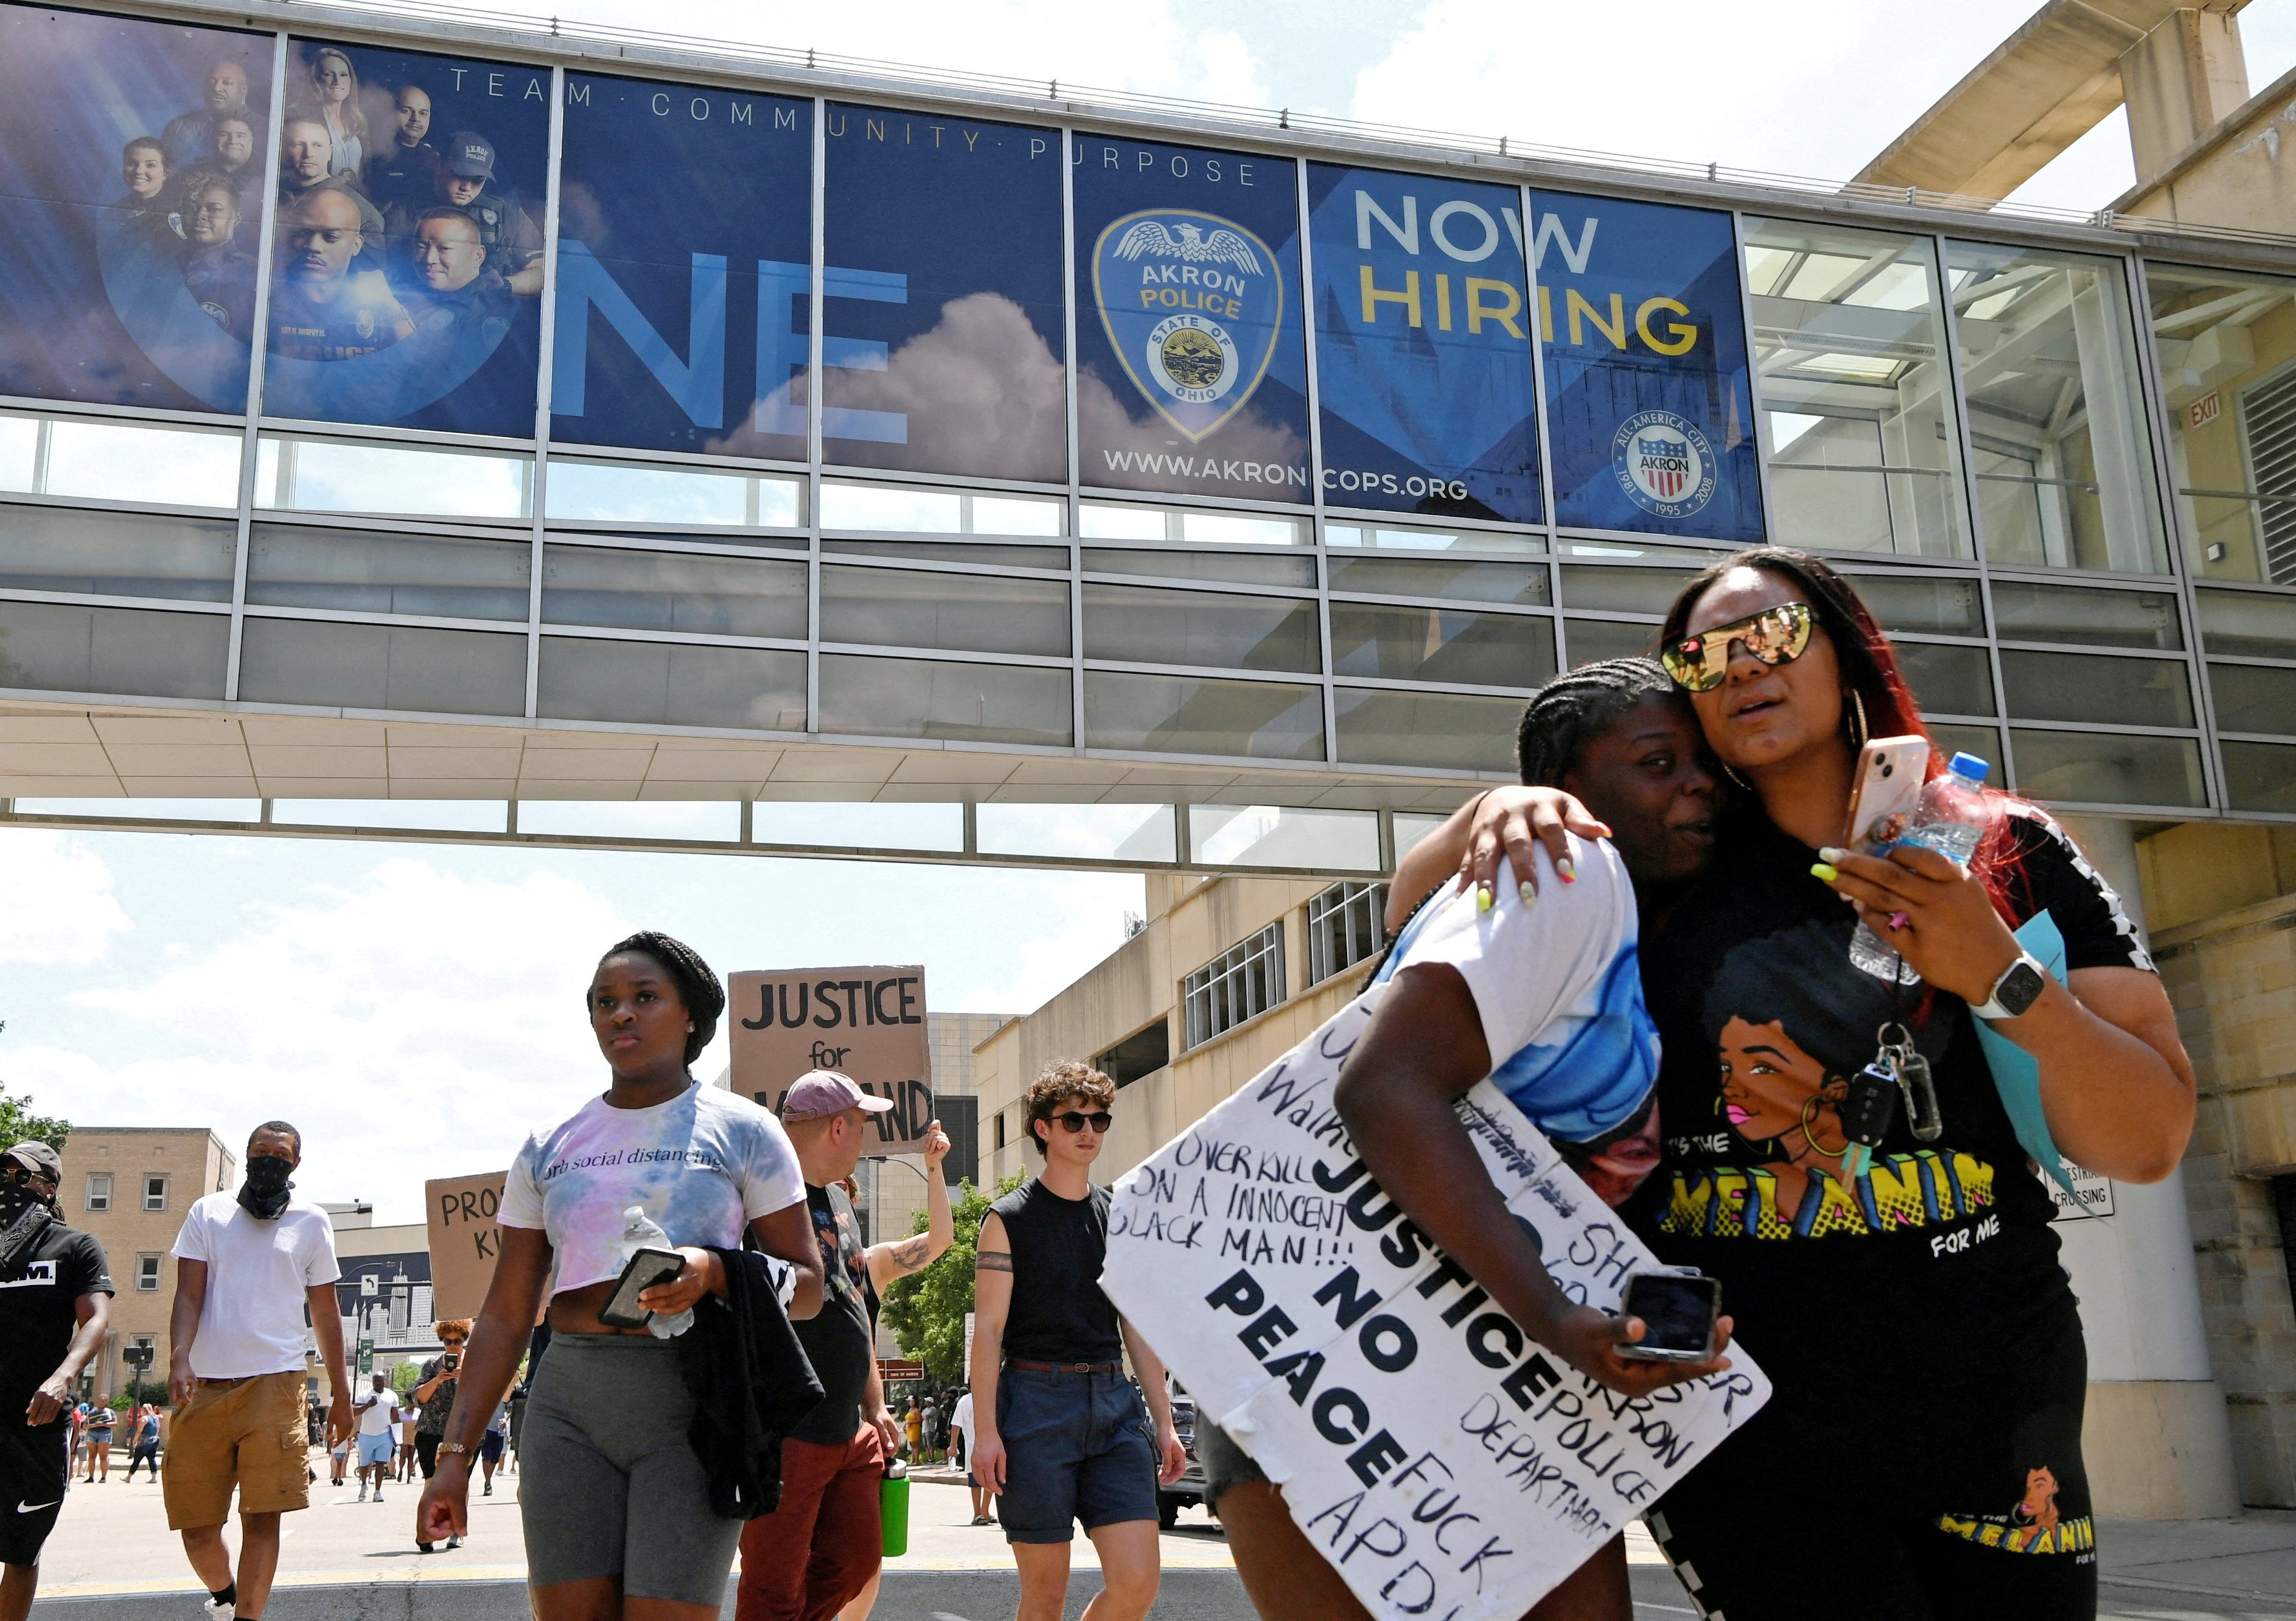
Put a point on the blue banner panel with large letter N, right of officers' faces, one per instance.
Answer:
(685, 247)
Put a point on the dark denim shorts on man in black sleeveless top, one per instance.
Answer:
(1078, 1452)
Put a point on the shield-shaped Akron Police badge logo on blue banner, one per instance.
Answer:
(1193, 307)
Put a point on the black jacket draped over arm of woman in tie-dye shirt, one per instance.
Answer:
(752, 1386)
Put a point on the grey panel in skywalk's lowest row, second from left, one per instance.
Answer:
(382, 667)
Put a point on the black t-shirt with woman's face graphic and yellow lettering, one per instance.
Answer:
(1764, 1018)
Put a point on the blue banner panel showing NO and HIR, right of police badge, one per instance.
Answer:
(1422, 346)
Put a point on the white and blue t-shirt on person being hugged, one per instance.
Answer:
(1558, 988)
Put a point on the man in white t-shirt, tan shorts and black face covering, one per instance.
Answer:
(249, 1266)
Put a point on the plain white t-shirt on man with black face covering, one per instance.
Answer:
(251, 1319)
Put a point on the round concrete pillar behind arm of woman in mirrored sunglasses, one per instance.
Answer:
(2157, 1438)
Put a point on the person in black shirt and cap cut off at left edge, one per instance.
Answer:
(56, 1303)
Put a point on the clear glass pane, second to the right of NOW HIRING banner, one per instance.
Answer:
(2058, 426)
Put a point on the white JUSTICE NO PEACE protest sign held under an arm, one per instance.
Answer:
(1441, 1461)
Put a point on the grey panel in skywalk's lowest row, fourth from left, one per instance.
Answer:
(991, 704)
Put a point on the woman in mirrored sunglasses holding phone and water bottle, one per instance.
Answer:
(1836, 1147)
